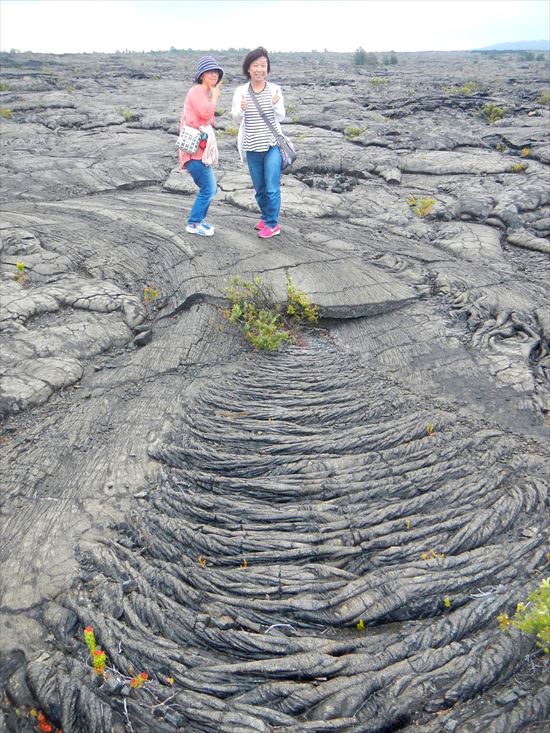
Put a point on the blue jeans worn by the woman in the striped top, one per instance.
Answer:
(265, 171)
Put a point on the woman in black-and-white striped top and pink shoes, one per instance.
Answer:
(256, 142)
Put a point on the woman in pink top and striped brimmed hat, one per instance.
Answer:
(198, 110)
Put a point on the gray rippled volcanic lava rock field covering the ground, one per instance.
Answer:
(316, 539)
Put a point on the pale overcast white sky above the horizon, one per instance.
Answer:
(67, 26)
